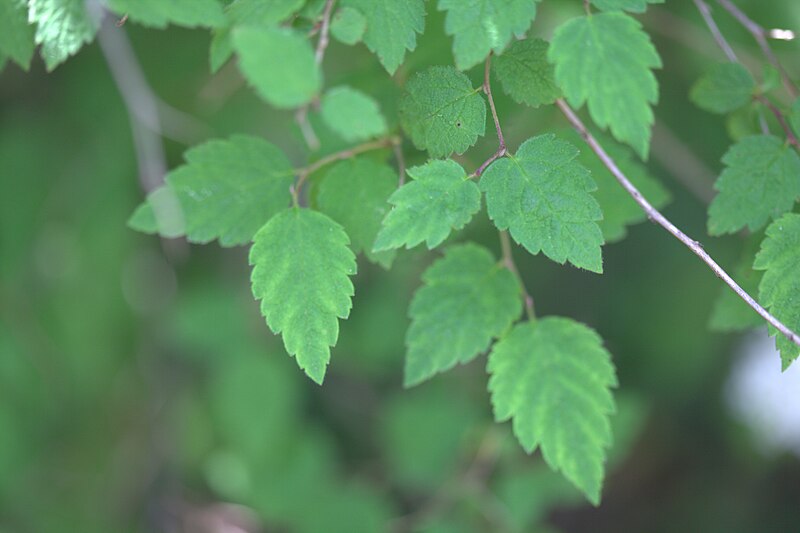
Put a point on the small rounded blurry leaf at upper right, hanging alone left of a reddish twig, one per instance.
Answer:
(724, 88)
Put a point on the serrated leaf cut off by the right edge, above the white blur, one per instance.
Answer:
(779, 257)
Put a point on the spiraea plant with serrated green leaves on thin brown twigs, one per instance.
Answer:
(565, 192)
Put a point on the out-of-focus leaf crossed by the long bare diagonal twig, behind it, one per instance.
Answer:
(619, 209)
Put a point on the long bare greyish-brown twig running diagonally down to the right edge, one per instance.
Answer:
(654, 215)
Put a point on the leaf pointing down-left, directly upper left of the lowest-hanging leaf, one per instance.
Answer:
(468, 298)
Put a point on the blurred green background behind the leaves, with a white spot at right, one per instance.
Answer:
(141, 391)
